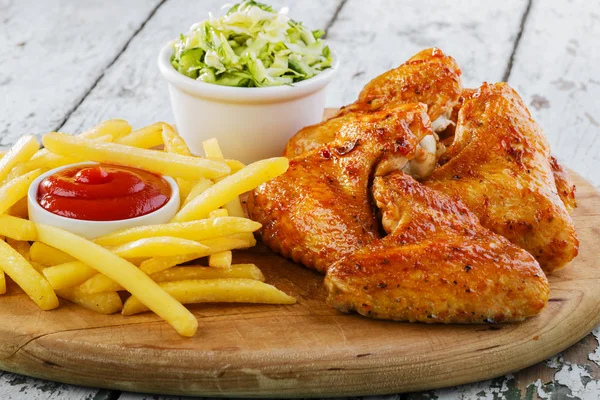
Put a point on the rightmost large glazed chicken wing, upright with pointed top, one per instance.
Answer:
(499, 167)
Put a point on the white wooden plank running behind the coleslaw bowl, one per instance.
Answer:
(133, 88)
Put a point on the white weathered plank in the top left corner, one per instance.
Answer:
(53, 52)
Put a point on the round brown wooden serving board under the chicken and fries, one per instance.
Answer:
(303, 350)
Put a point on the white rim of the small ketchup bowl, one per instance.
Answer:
(33, 189)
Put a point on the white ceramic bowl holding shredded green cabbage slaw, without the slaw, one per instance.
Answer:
(250, 123)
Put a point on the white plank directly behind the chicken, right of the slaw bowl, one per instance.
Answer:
(374, 36)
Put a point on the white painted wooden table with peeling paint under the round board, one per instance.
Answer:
(68, 64)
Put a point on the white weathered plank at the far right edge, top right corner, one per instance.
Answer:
(556, 71)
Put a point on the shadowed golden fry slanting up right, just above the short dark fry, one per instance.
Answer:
(217, 245)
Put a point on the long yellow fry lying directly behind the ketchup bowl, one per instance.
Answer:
(154, 161)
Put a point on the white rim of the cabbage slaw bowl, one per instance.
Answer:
(242, 94)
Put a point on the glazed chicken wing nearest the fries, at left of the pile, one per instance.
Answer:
(320, 210)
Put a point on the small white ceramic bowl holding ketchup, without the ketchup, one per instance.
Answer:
(94, 229)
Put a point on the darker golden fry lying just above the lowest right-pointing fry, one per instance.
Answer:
(245, 271)
